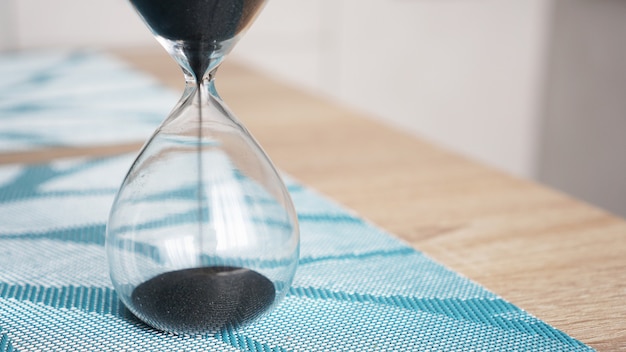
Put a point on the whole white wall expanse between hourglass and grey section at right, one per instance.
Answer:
(464, 74)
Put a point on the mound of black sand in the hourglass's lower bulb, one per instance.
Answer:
(203, 300)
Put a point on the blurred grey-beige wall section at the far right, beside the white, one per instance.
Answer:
(584, 126)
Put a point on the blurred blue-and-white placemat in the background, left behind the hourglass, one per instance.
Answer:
(60, 99)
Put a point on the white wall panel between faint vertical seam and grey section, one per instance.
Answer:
(465, 74)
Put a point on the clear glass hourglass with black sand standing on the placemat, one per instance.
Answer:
(202, 234)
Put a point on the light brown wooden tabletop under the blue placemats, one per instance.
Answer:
(560, 259)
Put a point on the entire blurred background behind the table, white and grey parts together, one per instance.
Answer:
(536, 88)
